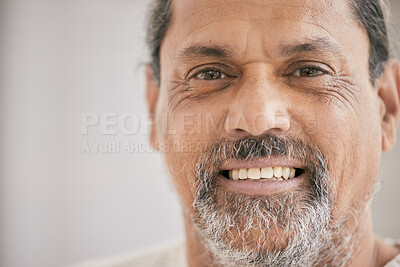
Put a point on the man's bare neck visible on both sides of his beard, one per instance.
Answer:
(370, 251)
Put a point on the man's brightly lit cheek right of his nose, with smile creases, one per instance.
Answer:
(350, 140)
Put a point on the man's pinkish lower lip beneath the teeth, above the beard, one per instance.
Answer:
(260, 187)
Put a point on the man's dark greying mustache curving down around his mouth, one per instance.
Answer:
(268, 145)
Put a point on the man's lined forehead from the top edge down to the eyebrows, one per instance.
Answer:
(251, 26)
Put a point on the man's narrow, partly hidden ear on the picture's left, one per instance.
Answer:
(152, 94)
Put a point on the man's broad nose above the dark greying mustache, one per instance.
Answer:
(257, 108)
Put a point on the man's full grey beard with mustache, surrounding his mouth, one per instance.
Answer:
(289, 229)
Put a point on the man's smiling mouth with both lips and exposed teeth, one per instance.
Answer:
(262, 177)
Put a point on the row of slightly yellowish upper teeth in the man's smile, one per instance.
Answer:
(263, 174)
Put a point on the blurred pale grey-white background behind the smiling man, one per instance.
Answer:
(68, 195)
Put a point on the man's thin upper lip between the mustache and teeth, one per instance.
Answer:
(261, 163)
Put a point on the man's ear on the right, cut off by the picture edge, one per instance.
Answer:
(389, 91)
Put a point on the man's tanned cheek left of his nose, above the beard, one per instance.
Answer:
(190, 130)
